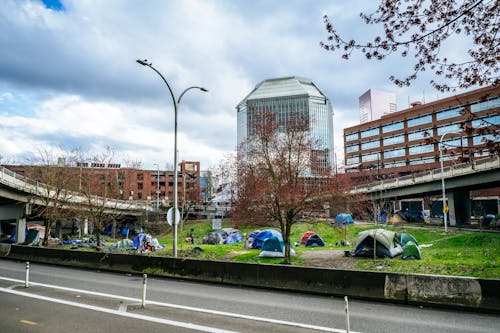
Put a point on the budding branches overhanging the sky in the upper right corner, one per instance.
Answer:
(420, 28)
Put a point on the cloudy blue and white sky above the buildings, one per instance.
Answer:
(69, 77)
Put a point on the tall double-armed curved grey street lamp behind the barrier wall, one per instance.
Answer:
(176, 107)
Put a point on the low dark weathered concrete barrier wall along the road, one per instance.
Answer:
(454, 292)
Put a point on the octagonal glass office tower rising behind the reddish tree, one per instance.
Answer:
(290, 97)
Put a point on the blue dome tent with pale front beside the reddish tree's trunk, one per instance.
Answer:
(269, 241)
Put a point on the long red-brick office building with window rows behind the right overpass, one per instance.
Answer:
(407, 141)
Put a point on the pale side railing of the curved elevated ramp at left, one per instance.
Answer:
(26, 185)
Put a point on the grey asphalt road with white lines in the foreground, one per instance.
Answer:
(180, 306)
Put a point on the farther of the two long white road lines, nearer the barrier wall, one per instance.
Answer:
(188, 308)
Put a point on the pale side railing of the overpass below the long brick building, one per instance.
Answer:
(461, 169)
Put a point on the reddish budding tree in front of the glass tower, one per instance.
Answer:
(276, 183)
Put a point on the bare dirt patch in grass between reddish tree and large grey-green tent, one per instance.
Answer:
(328, 259)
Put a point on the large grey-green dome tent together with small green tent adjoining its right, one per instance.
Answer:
(386, 243)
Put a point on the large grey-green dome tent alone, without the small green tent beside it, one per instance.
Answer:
(387, 244)
